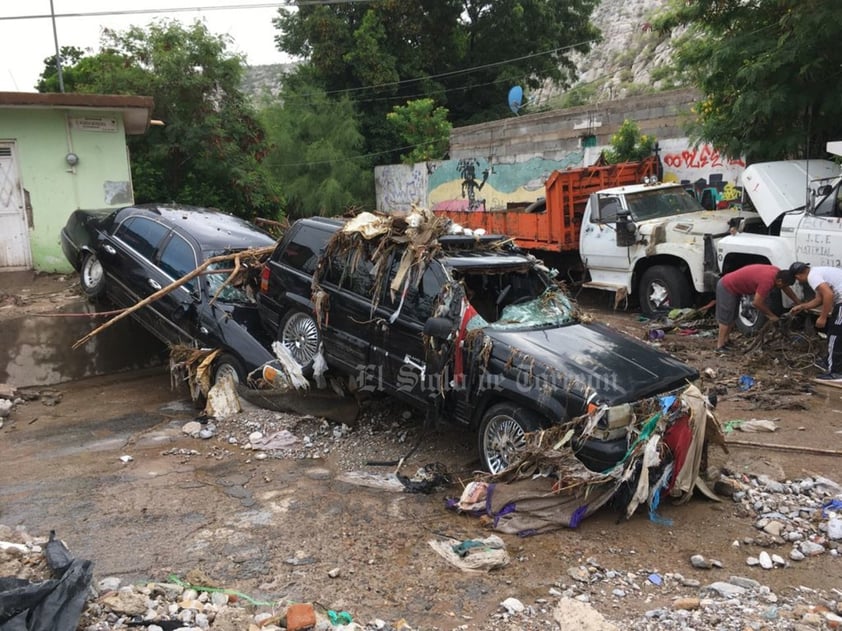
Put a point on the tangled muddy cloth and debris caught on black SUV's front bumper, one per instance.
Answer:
(549, 488)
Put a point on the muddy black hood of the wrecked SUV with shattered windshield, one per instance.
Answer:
(617, 367)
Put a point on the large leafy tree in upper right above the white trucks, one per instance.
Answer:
(768, 71)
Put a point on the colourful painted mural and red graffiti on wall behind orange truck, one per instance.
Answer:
(477, 184)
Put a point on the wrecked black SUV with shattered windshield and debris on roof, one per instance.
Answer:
(467, 328)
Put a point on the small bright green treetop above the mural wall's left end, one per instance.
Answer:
(423, 127)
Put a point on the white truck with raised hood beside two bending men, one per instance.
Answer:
(799, 218)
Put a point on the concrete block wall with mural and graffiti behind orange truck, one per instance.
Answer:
(508, 161)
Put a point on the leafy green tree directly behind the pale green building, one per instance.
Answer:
(210, 148)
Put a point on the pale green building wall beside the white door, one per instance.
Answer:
(102, 177)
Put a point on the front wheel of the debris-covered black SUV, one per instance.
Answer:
(502, 434)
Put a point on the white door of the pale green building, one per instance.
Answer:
(14, 232)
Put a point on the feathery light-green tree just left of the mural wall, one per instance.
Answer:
(315, 148)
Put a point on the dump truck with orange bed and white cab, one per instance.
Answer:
(617, 228)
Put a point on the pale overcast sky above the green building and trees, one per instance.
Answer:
(25, 43)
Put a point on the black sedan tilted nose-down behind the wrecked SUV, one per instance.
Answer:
(128, 254)
